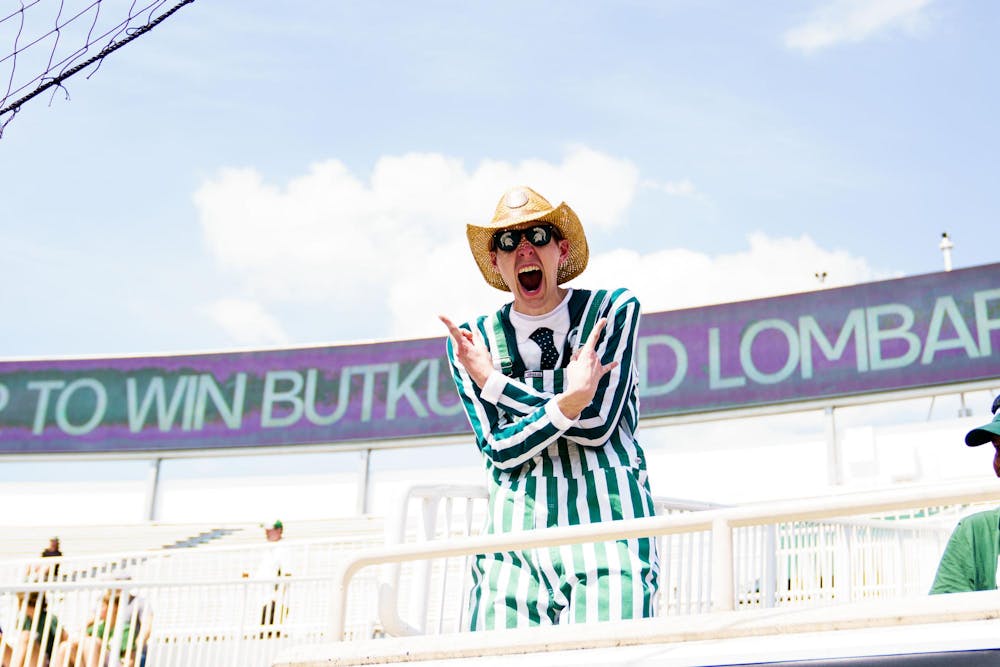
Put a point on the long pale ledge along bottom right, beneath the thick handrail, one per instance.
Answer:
(935, 623)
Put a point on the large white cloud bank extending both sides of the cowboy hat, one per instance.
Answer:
(392, 252)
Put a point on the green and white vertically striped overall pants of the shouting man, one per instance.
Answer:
(569, 584)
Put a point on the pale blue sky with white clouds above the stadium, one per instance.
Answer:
(272, 174)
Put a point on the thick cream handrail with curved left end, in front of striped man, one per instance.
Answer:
(719, 521)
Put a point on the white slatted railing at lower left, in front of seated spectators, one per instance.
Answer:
(205, 613)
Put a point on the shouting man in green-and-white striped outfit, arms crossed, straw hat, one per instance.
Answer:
(549, 386)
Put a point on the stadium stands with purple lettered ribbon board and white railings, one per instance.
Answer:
(806, 453)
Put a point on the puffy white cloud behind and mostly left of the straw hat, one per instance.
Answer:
(328, 237)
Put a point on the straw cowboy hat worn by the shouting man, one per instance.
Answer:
(519, 207)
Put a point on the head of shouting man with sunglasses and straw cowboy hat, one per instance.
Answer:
(529, 248)
